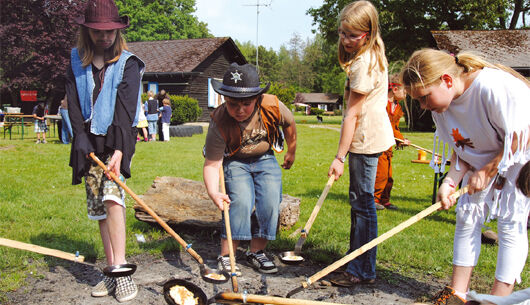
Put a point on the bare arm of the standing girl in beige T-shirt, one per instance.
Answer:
(355, 101)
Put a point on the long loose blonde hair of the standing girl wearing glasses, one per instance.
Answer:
(362, 16)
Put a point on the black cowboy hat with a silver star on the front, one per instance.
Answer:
(240, 82)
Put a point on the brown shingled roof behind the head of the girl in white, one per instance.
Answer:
(508, 47)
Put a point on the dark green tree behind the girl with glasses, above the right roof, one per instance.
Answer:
(406, 24)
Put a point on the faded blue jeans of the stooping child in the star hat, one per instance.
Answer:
(253, 182)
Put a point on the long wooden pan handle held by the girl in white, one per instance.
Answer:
(379, 239)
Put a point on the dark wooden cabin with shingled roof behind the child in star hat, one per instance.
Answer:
(186, 67)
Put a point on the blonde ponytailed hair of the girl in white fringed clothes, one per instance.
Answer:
(426, 66)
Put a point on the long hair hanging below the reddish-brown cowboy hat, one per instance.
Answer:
(85, 47)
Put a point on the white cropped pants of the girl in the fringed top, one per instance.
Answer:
(513, 243)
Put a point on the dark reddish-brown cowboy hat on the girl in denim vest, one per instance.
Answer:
(102, 15)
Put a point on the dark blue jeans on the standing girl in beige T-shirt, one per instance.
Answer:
(363, 169)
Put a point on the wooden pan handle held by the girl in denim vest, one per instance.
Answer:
(149, 211)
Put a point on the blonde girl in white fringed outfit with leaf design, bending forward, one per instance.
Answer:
(481, 110)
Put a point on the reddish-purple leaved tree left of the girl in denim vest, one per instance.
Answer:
(36, 37)
